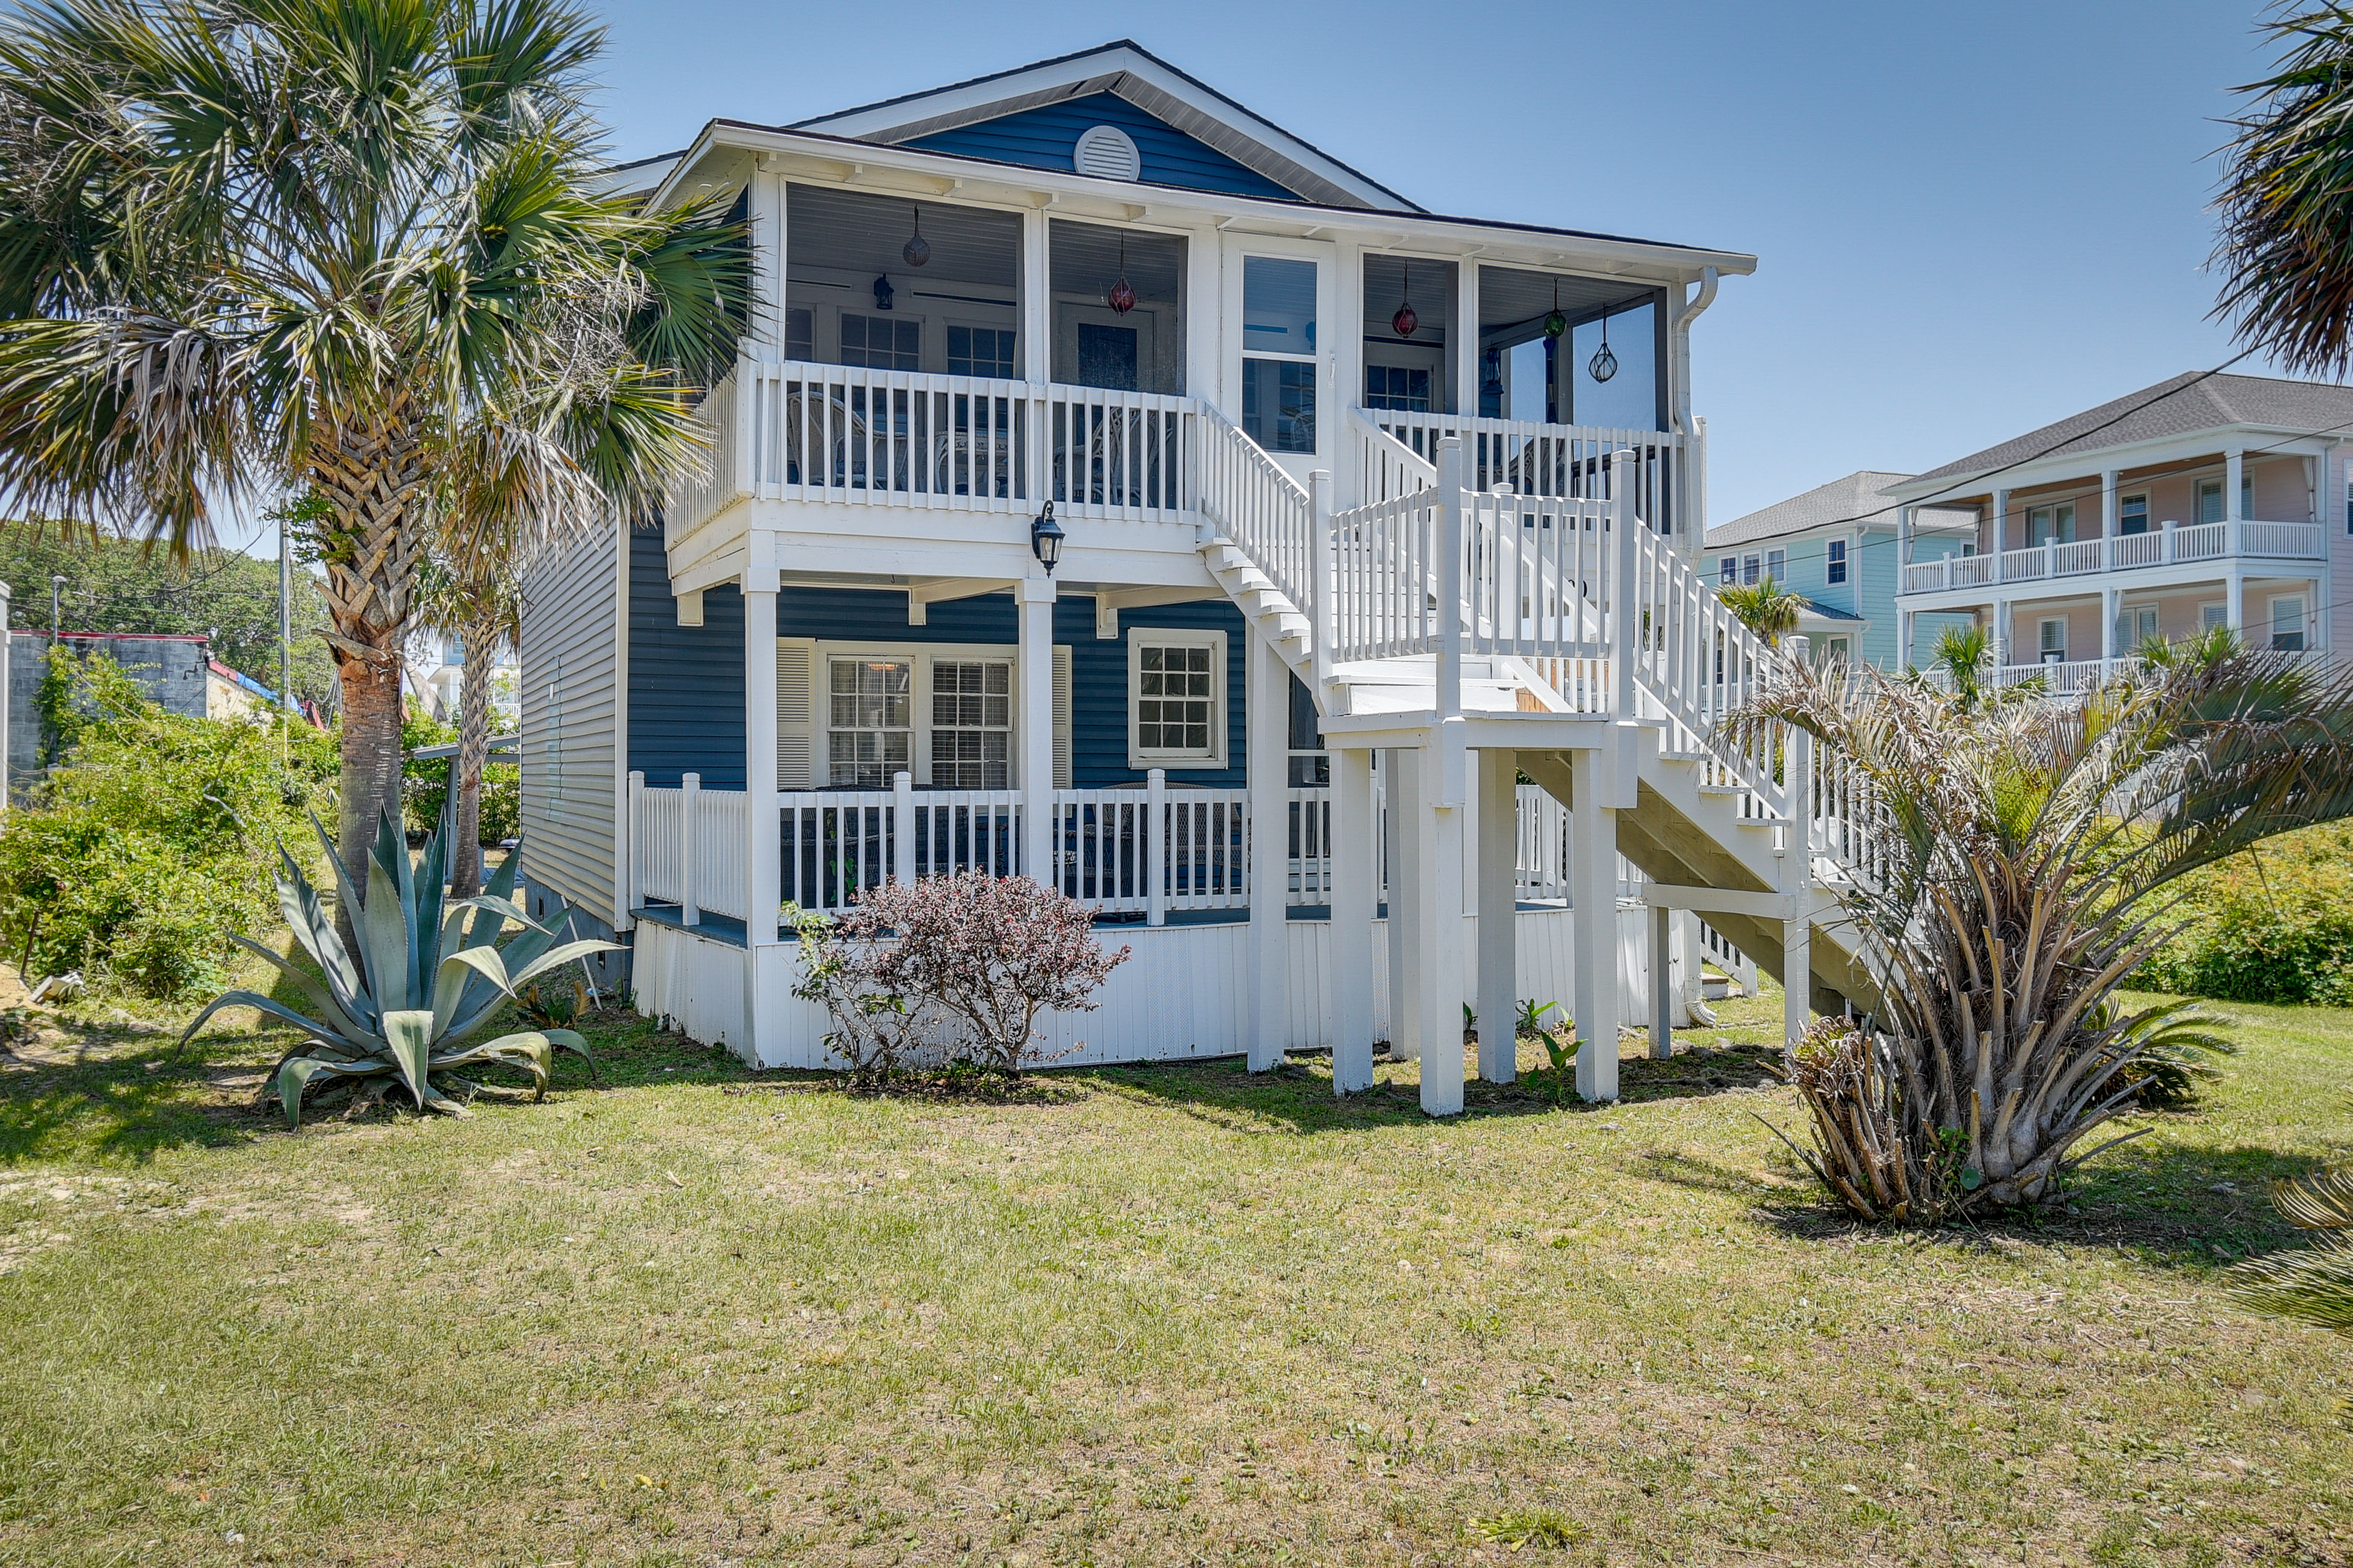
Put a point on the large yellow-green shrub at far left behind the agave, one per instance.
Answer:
(149, 836)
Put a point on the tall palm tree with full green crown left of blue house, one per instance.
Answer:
(319, 248)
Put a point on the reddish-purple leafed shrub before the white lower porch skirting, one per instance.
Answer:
(954, 965)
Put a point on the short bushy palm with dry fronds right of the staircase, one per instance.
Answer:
(2027, 864)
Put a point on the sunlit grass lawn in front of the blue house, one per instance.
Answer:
(1152, 1318)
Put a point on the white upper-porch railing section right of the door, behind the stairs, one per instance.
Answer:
(1535, 460)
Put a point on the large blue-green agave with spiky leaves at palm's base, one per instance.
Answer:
(427, 979)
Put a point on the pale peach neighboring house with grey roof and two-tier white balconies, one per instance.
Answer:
(2199, 502)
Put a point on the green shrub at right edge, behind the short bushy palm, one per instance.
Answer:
(2269, 925)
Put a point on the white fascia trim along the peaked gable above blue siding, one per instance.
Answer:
(1081, 76)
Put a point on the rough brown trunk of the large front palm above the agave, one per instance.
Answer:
(371, 471)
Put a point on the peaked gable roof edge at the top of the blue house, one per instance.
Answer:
(1128, 72)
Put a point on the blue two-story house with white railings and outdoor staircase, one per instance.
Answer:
(1121, 490)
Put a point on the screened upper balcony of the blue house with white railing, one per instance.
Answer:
(940, 373)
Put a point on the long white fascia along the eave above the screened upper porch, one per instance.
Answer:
(834, 161)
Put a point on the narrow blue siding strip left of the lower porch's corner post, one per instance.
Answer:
(686, 683)
